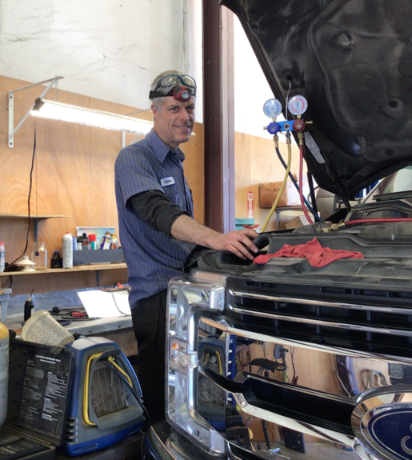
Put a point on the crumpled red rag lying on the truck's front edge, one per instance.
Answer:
(316, 255)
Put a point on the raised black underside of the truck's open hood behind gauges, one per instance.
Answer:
(352, 61)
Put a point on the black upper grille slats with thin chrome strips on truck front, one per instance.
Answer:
(339, 316)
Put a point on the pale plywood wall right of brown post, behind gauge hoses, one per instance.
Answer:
(256, 162)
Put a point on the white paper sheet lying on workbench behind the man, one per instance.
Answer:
(99, 304)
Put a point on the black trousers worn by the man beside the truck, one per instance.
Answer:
(149, 324)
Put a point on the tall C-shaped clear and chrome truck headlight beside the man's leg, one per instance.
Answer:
(188, 297)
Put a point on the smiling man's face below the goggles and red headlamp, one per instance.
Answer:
(174, 121)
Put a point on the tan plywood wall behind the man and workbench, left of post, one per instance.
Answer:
(73, 172)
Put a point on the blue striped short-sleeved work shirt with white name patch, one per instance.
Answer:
(152, 257)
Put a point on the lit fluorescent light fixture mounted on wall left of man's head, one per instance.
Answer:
(98, 118)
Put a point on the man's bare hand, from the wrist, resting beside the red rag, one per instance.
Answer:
(239, 242)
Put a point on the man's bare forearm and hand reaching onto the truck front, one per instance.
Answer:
(238, 242)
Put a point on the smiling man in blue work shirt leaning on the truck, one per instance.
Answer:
(156, 224)
